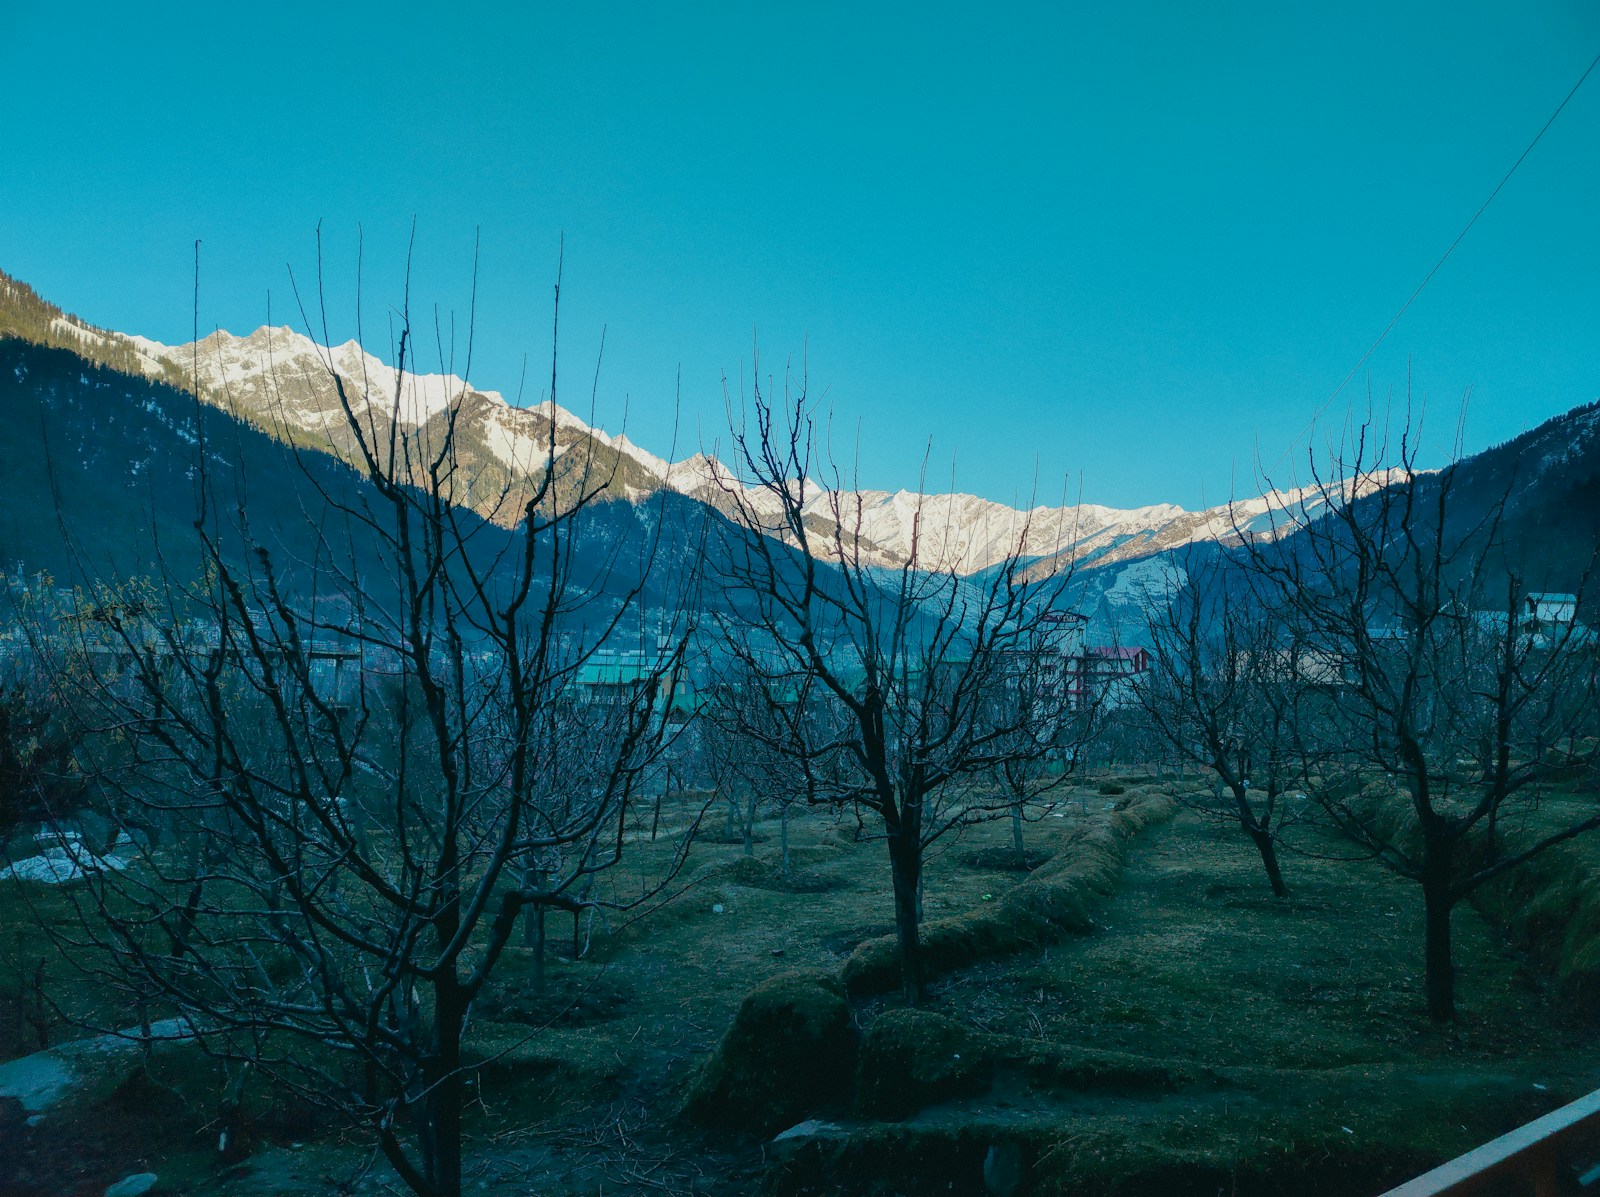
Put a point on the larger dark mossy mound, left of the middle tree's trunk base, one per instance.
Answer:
(790, 1054)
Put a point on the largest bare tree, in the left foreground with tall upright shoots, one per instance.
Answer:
(359, 771)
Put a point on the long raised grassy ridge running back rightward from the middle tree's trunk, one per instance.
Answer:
(1052, 902)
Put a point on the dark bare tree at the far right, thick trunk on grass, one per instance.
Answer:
(1450, 707)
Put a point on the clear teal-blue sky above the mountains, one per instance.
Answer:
(1126, 242)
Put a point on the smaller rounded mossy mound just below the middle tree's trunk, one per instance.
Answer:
(914, 1059)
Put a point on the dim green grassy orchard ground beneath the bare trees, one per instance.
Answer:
(1169, 1028)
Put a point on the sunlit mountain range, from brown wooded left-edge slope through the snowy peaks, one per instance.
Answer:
(286, 385)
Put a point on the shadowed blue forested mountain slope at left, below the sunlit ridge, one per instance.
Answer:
(106, 473)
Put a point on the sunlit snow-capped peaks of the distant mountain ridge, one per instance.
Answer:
(282, 378)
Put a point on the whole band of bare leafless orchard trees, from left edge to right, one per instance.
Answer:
(346, 772)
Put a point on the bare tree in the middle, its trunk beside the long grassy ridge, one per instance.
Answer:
(913, 675)
